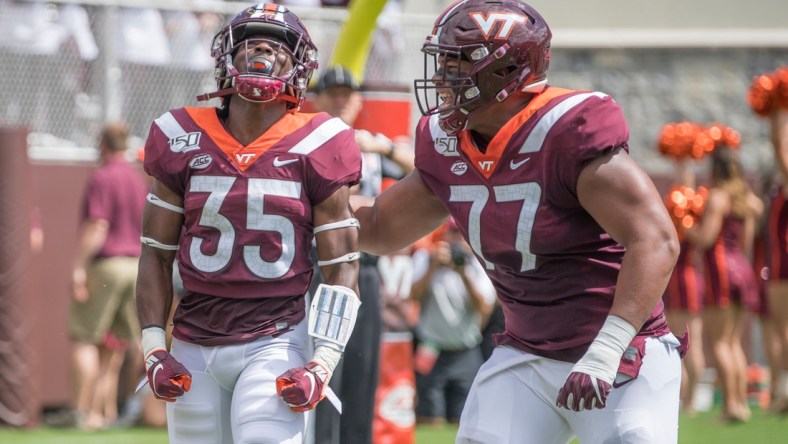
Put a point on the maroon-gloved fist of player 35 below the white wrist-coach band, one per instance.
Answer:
(302, 388)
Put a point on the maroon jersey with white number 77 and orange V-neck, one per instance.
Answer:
(553, 266)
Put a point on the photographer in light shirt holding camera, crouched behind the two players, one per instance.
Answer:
(456, 298)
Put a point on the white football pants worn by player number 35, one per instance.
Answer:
(233, 396)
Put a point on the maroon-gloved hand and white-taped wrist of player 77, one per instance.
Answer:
(591, 379)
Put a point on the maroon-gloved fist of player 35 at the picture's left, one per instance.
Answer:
(167, 377)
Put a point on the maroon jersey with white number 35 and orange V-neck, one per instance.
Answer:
(247, 230)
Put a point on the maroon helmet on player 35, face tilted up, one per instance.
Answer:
(257, 80)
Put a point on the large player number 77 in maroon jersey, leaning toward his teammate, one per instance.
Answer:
(571, 231)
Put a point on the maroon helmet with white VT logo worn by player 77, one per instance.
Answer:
(507, 44)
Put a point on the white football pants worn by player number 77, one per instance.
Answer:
(512, 400)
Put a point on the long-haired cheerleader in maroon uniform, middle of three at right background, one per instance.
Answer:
(724, 236)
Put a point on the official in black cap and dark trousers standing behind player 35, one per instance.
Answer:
(356, 380)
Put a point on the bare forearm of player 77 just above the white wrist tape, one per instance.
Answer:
(645, 271)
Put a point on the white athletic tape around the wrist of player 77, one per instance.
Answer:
(604, 354)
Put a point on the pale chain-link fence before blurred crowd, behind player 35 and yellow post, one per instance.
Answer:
(66, 67)
